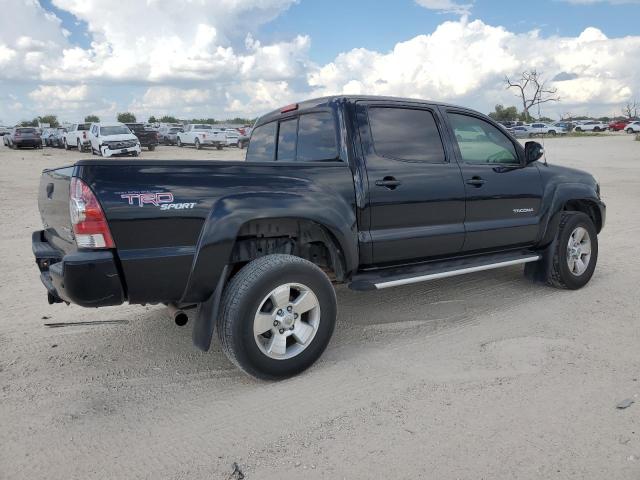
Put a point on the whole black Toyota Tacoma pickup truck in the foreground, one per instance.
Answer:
(374, 192)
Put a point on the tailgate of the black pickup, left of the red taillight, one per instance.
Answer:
(53, 203)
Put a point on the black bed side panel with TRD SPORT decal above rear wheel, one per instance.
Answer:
(177, 254)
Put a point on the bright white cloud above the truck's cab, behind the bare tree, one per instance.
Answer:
(465, 62)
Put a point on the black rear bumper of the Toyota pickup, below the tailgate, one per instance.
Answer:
(86, 278)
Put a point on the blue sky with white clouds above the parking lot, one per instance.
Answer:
(228, 58)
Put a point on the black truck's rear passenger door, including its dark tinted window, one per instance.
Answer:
(416, 195)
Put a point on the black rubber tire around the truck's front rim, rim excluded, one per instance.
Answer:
(559, 274)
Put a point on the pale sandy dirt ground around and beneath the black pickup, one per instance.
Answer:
(479, 376)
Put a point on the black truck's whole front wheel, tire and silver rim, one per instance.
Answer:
(576, 252)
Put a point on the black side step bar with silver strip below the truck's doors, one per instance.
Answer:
(395, 276)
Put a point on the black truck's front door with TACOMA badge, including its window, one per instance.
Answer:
(503, 197)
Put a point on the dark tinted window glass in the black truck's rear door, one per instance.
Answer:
(406, 134)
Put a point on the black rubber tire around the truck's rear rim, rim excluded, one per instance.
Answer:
(241, 301)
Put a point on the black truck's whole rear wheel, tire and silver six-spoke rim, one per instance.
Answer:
(277, 316)
